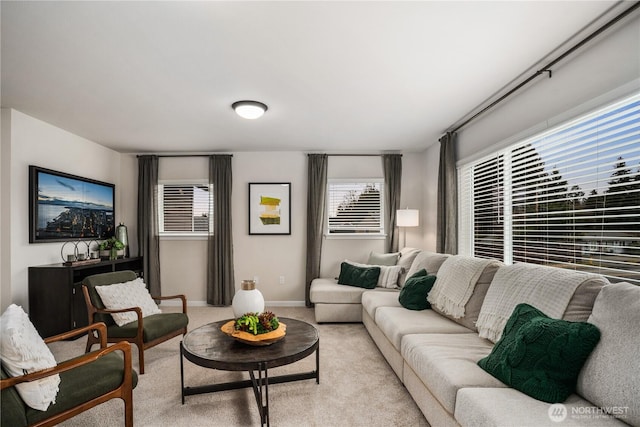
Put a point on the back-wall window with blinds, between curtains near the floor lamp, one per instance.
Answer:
(355, 208)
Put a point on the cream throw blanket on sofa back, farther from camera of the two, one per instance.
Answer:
(456, 280)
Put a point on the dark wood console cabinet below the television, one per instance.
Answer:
(56, 303)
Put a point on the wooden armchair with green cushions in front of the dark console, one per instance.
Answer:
(145, 332)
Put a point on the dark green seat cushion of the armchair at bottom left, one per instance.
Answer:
(83, 384)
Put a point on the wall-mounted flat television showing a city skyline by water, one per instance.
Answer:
(66, 207)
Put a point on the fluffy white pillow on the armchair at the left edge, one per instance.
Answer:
(24, 351)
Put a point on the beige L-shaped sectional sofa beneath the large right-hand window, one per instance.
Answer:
(435, 352)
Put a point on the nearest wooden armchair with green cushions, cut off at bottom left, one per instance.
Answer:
(85, 382)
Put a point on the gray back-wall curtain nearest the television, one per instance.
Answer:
(148, 231)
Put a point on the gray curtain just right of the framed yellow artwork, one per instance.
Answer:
(316, 202)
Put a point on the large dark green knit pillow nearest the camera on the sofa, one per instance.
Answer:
(541, 356)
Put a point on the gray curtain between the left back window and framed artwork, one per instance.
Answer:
(220, 277)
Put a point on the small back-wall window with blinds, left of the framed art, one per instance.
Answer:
(185, 209)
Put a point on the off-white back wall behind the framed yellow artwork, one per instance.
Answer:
(183, 262)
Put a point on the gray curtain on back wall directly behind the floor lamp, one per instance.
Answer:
(392, 168)
